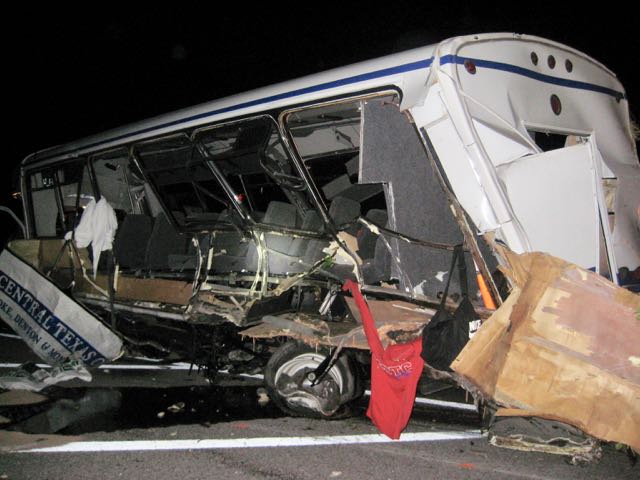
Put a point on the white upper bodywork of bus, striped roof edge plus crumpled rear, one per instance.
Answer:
(479, 126)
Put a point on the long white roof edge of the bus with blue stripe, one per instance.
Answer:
(405, 71)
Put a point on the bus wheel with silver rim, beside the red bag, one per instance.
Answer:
(288, 386)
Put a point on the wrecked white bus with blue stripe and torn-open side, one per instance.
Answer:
(239, 220)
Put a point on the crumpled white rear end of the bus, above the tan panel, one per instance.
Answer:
(535, 142)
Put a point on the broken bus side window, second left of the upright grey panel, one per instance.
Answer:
(251, 158)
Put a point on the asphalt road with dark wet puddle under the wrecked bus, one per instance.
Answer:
(174, 428)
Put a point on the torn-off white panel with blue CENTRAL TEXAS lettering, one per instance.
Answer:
(54, 326)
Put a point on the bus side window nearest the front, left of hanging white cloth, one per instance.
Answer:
(58, 197)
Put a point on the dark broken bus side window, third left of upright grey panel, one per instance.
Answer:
(184, 181)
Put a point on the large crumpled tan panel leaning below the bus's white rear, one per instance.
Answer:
(562, 347)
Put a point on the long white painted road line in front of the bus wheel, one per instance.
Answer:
(264, 442)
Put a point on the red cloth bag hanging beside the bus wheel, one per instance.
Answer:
(394, 374)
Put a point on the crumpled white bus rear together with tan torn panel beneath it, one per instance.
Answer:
(534, 140)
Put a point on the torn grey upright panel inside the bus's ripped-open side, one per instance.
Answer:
(392, 153)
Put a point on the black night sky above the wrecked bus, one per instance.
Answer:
(81, 71)
